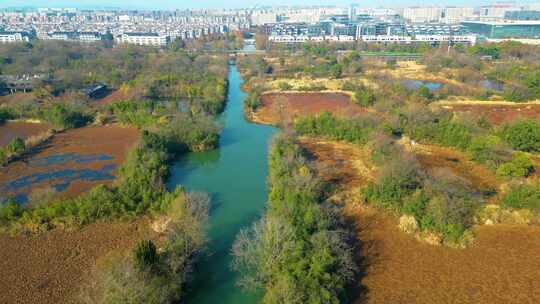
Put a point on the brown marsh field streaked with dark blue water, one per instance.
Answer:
(71, 163)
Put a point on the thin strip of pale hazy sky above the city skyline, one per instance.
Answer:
(172, 4)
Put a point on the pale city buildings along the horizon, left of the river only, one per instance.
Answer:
(138, 27)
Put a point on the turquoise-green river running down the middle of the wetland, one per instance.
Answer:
(235, 176)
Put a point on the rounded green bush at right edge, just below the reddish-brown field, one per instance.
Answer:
(523, 135)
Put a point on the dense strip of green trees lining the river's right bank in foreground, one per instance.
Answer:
(300, 252)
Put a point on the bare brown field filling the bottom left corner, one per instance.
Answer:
(49, 269)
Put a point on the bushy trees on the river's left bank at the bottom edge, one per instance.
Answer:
(149, 274)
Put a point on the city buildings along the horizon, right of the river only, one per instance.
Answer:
(401, 25)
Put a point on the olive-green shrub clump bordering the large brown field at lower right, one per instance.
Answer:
(440, 206)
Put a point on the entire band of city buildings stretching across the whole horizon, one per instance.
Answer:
(281, 24)
